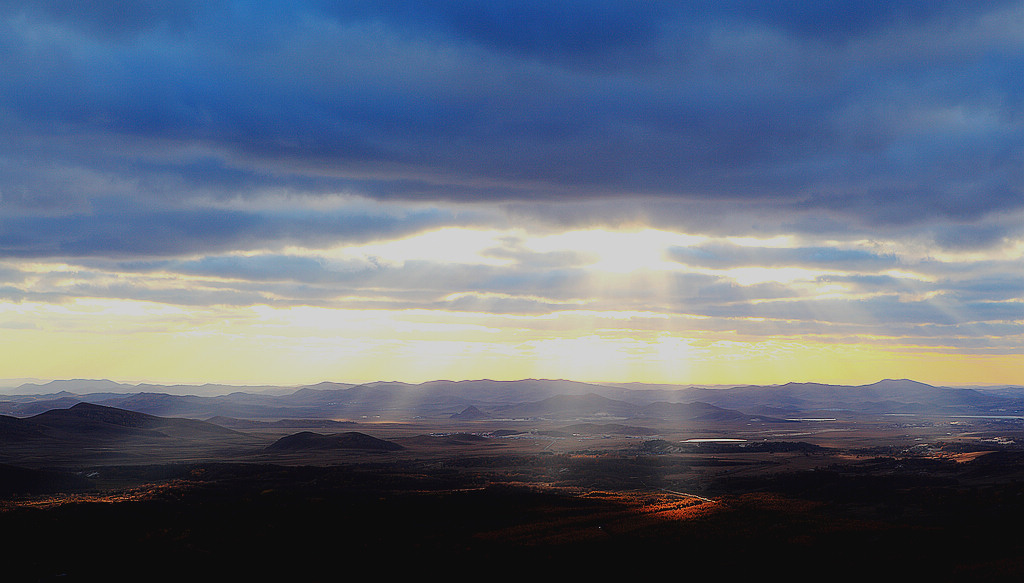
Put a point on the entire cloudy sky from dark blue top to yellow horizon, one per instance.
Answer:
(706, 192)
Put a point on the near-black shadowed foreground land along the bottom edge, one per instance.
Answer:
(252, 521)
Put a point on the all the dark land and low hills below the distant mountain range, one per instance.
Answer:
(100, 493)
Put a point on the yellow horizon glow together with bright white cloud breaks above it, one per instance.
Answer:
(616, 321)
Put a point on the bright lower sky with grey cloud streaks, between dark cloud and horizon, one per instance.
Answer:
(591, 305)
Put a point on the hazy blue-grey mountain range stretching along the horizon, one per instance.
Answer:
(519, 399)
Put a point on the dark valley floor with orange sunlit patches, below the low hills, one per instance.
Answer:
(716, 510)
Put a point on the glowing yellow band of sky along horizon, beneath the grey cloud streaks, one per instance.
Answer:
(265, 345)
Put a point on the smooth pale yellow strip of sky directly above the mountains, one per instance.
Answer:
(294, 347)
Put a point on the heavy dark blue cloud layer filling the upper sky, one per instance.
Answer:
(870, 112)
